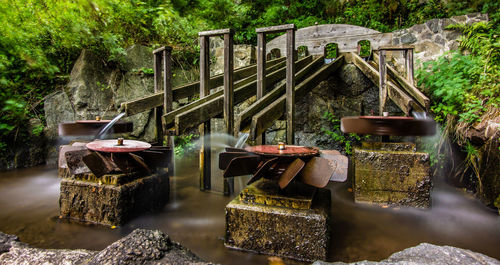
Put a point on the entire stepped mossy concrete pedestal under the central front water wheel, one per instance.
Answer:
(300, 233)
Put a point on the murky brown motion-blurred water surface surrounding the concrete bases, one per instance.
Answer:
(29, 209)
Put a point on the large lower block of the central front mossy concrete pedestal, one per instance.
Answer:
(293, 233)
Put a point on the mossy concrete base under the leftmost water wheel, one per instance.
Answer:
(110, 204)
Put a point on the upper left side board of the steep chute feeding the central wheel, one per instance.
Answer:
(244, 118)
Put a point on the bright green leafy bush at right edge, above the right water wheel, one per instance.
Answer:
(465, 85)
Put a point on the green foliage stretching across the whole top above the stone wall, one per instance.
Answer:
(40, 40)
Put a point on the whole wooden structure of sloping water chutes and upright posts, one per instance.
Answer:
(274, 98)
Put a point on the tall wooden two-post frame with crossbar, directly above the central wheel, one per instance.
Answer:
(290, 74)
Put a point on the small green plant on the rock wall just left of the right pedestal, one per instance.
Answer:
(347, 141)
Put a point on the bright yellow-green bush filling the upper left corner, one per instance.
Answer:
(40, 40)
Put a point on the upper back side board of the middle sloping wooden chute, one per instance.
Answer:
(169, 118)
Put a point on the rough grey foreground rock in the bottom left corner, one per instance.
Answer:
(139, 247)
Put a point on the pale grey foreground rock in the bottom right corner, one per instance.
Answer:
(428, 254)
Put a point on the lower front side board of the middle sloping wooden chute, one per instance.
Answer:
(213, 108)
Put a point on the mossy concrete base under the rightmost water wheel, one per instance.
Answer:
(392, 174)
